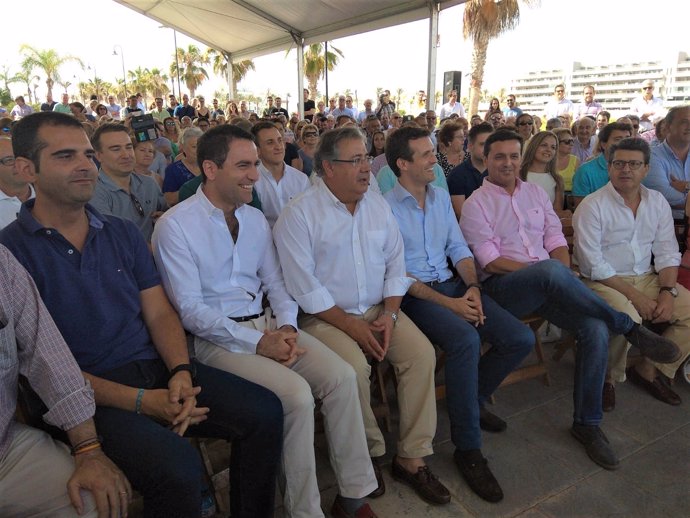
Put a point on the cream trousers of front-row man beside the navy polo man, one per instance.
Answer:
(317, 373)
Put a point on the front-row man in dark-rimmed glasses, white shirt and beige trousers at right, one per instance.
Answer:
(617, 229)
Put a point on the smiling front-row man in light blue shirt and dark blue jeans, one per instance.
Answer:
(451, 310)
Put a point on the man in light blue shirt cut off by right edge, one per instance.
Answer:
(669, 167)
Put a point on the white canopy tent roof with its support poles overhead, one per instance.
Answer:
(269, 26)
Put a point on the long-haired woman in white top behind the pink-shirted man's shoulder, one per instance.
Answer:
(539, 163)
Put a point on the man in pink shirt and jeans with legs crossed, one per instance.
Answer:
(518, 243)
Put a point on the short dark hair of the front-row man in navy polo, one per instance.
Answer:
(25, 141)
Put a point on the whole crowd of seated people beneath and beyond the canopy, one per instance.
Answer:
(295, 253)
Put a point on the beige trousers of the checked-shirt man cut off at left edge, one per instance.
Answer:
(34, 475)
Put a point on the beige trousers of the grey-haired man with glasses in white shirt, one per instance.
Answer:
(413, 359)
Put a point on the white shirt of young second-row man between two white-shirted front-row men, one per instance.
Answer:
(275, 195)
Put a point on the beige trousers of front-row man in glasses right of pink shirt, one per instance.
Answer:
(678, 333)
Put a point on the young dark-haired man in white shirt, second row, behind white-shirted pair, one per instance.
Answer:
(278, 182)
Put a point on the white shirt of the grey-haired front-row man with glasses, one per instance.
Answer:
(333, 258)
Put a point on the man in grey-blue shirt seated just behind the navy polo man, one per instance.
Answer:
(119, 191)
